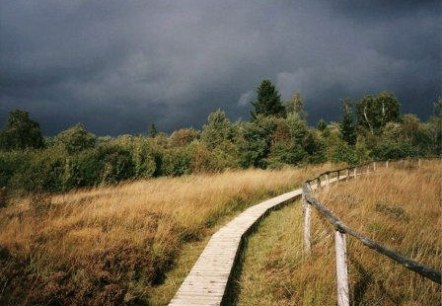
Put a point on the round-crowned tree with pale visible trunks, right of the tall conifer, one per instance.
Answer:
(374, 112)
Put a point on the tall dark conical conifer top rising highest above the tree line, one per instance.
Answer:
(268, 102)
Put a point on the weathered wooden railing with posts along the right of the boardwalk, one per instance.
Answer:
(341, 229)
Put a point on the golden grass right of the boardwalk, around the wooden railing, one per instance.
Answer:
(399, 207)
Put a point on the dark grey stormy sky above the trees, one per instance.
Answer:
(118, 66)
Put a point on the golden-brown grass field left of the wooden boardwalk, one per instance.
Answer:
(127, 244)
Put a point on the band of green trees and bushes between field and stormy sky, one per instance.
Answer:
(277, 135)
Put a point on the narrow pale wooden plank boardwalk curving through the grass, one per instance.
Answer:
(207, 282)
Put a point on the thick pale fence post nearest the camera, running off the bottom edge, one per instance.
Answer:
(341, 269)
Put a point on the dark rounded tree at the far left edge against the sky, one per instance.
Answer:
(20, 132)
